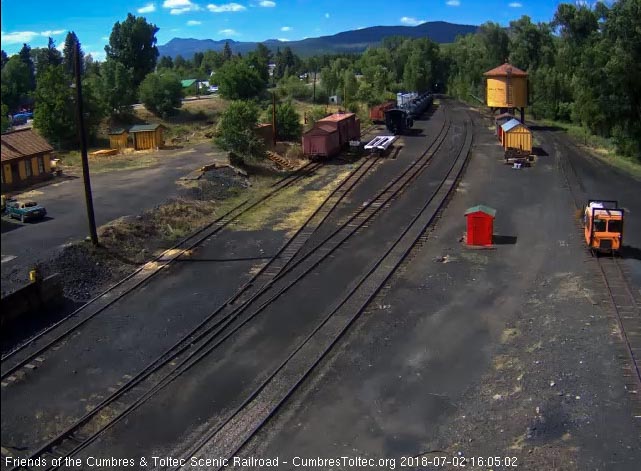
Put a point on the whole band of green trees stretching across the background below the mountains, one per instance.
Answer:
(584, 66)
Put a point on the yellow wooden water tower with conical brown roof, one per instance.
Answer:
(507, 88)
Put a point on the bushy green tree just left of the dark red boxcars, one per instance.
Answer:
(236, 130)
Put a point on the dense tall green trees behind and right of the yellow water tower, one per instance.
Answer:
(584, 66)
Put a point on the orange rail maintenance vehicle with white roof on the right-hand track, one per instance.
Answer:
(603, 226)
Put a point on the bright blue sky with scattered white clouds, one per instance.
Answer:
(32, 21)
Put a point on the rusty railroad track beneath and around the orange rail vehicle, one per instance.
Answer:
(625, 307)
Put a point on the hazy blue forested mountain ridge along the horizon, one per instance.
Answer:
(347, 41)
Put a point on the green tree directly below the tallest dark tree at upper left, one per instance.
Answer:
(116, 87)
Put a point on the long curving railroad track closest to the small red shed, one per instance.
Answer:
(228, 439)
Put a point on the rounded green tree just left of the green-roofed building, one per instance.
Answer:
(161, 94)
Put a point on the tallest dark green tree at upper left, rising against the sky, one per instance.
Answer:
(133, 43)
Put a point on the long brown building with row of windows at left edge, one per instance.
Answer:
(26, 159)
